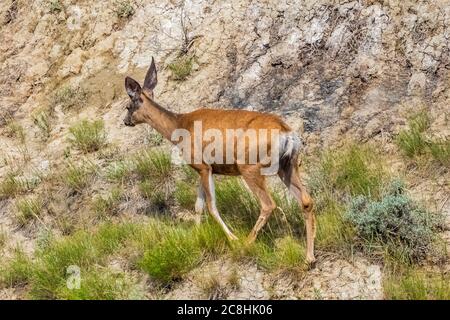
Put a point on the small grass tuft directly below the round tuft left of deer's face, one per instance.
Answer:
(77, 177)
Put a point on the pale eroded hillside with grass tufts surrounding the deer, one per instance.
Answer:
(365, 84)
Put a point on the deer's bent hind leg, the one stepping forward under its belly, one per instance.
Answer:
(257, 184)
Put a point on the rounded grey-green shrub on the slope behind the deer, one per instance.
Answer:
(395, 221)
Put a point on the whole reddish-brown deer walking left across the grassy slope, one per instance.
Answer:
(142, 108)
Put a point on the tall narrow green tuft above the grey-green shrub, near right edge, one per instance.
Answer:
(412, 141)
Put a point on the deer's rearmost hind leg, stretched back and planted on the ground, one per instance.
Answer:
(291, 179)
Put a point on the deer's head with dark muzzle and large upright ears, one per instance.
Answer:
(135, 91)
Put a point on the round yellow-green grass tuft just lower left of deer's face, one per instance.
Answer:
(88, 136)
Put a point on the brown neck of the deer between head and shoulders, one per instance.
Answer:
(161, 119)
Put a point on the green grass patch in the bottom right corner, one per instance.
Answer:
(417, 285)
